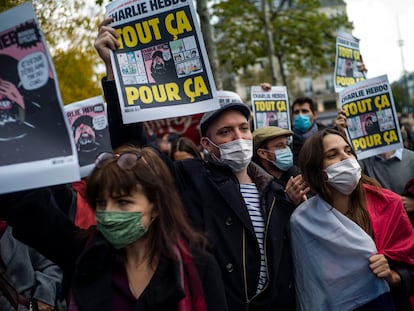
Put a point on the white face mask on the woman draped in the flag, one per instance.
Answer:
(344, 176)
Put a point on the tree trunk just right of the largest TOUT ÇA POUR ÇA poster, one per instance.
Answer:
(206, 30)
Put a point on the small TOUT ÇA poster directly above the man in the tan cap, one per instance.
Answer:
(270, 108)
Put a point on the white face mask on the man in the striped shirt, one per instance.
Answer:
(237, 153)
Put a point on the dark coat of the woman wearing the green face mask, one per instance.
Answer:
(88, 263)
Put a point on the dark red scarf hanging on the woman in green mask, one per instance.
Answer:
(194, 294)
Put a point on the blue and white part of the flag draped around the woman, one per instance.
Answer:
(330, 254)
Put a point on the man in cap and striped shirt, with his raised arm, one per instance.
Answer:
(243, 212)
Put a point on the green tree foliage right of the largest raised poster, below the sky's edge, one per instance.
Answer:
(303, 36)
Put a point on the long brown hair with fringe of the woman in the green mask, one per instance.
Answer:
(151, 175)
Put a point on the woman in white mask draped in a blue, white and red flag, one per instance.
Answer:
(353, 245)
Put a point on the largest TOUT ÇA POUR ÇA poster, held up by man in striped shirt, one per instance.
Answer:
(161, 67)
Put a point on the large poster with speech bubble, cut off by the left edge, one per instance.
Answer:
(36, 148)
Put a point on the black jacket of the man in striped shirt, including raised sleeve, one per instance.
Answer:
(214, 203)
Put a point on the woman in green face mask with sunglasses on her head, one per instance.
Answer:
(143, 253)
